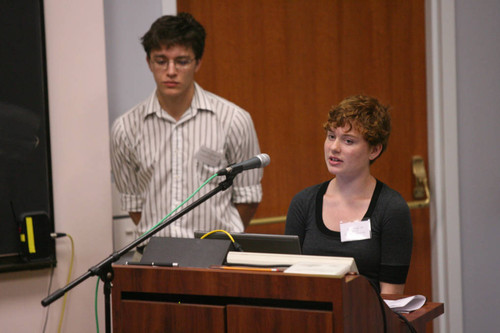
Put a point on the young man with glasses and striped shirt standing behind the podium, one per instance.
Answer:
(167, 146)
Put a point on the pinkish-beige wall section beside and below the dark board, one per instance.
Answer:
(78, 114)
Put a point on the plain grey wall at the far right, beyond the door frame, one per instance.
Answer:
(478, 73)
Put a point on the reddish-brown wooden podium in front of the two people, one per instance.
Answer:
(161, 299)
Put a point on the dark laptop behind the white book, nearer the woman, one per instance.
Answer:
(263, 243)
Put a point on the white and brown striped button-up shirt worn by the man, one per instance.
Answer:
(159, 162)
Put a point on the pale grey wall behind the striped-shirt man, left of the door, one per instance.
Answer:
(126, 21)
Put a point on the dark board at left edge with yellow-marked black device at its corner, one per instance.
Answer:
(25, 173)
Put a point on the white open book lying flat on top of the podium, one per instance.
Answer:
(298, 264)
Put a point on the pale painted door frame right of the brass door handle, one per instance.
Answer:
(443, 162)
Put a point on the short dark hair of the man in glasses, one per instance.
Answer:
(170, 30)
